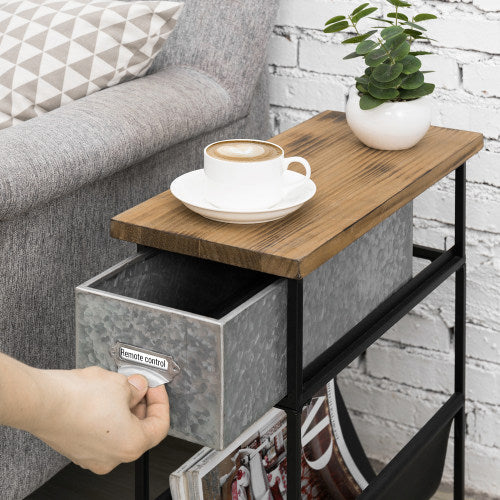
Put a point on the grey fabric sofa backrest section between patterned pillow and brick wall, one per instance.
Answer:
(234, 35)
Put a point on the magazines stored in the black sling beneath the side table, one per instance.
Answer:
(253, 467)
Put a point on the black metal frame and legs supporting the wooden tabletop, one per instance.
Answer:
(303, 383)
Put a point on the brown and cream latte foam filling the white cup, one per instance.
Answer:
(244, 151)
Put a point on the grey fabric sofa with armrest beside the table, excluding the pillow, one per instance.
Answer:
(64, 174)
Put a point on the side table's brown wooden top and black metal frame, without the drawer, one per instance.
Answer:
(358, 187)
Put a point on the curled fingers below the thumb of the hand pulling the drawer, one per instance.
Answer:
(157, 421)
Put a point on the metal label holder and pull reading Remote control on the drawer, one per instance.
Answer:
(156, 367)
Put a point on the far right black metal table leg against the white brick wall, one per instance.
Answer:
(460, 287)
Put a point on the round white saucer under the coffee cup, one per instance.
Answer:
(190, 190)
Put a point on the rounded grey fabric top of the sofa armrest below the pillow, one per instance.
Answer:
(103, 133)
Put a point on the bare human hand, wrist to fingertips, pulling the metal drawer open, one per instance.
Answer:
(97, 418)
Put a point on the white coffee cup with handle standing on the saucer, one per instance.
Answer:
(248, 183)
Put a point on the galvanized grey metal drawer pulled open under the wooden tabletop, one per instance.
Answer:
(226, 327)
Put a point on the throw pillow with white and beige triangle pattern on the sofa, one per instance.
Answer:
(55, 51)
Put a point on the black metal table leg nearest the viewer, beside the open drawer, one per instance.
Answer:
(293, 403)
